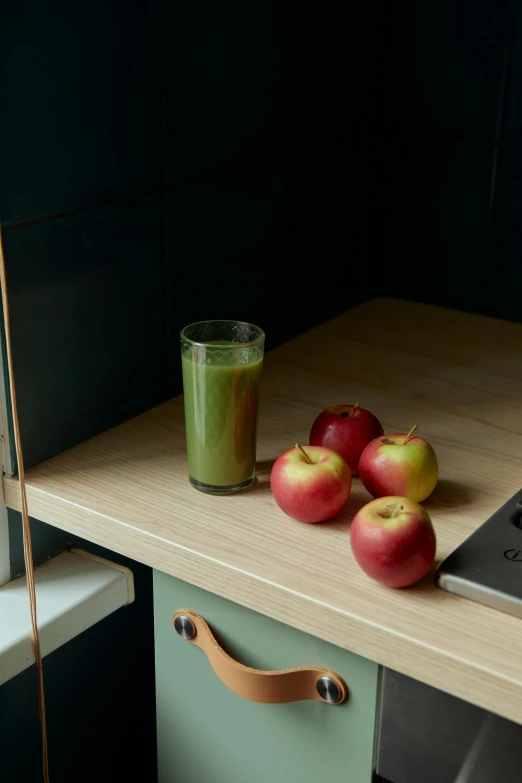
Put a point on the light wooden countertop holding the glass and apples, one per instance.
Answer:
(456, 375)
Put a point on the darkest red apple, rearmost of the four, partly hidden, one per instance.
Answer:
(346, 429)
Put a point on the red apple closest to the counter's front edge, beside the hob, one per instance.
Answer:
(393, 541)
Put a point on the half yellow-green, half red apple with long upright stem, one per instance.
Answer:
(401, 464)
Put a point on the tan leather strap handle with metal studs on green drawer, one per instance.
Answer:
(269, 687)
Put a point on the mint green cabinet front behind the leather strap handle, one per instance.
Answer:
(208, 734)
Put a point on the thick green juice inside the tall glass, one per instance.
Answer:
(221, 410)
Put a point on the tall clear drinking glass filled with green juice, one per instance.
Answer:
(222, 362)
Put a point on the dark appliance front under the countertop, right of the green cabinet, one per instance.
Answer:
(427, 736)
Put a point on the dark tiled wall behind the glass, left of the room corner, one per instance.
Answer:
(166, 163)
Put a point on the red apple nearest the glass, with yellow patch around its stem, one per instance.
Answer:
(311, 484)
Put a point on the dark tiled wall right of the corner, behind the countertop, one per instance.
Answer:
(450, 191)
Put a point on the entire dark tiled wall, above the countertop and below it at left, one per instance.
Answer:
(167, 162)
